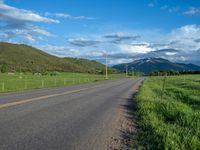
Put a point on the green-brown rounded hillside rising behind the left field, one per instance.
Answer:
(20, 57)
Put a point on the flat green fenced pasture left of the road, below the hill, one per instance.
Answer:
(27, 81)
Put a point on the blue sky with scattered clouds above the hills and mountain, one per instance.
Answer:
(126, 30)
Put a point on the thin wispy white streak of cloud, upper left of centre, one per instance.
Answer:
(68, 16)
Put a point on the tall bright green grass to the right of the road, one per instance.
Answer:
(173, 122)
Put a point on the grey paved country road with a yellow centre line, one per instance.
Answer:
(76, 117)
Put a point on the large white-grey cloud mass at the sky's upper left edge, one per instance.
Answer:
(17, 24)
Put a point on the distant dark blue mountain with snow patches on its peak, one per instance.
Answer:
(149, 65)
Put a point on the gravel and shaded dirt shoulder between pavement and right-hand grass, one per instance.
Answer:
(125, 128)
